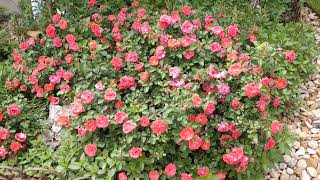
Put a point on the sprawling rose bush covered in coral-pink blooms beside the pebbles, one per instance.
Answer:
(179, 95)
